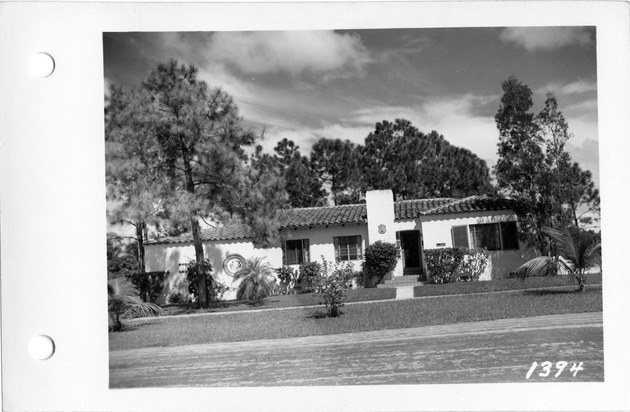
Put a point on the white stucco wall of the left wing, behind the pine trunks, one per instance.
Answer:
(169, 256)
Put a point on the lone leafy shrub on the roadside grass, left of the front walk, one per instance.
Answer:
(332, 284)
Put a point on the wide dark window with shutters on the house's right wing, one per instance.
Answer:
(491, 236)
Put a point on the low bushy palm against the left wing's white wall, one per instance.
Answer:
(256, 278)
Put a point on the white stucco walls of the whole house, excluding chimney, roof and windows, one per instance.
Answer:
(436, 232)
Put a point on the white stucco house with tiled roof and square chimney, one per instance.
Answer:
(341, 233)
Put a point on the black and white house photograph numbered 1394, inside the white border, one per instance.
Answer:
(349, 207)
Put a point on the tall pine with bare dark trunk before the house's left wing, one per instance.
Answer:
(200, 140)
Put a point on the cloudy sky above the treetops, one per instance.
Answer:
(304, 85)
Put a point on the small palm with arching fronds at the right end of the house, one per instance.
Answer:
(578, 250)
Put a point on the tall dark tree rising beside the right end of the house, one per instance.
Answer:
(534, 166)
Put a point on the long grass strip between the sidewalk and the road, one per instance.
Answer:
(389, 314)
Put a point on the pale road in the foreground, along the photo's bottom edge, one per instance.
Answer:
(478, 352)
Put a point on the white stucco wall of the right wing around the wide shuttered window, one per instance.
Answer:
(437, 231)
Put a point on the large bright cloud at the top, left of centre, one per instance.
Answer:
(291, 52)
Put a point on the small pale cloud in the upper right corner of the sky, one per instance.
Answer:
(547, 38)
